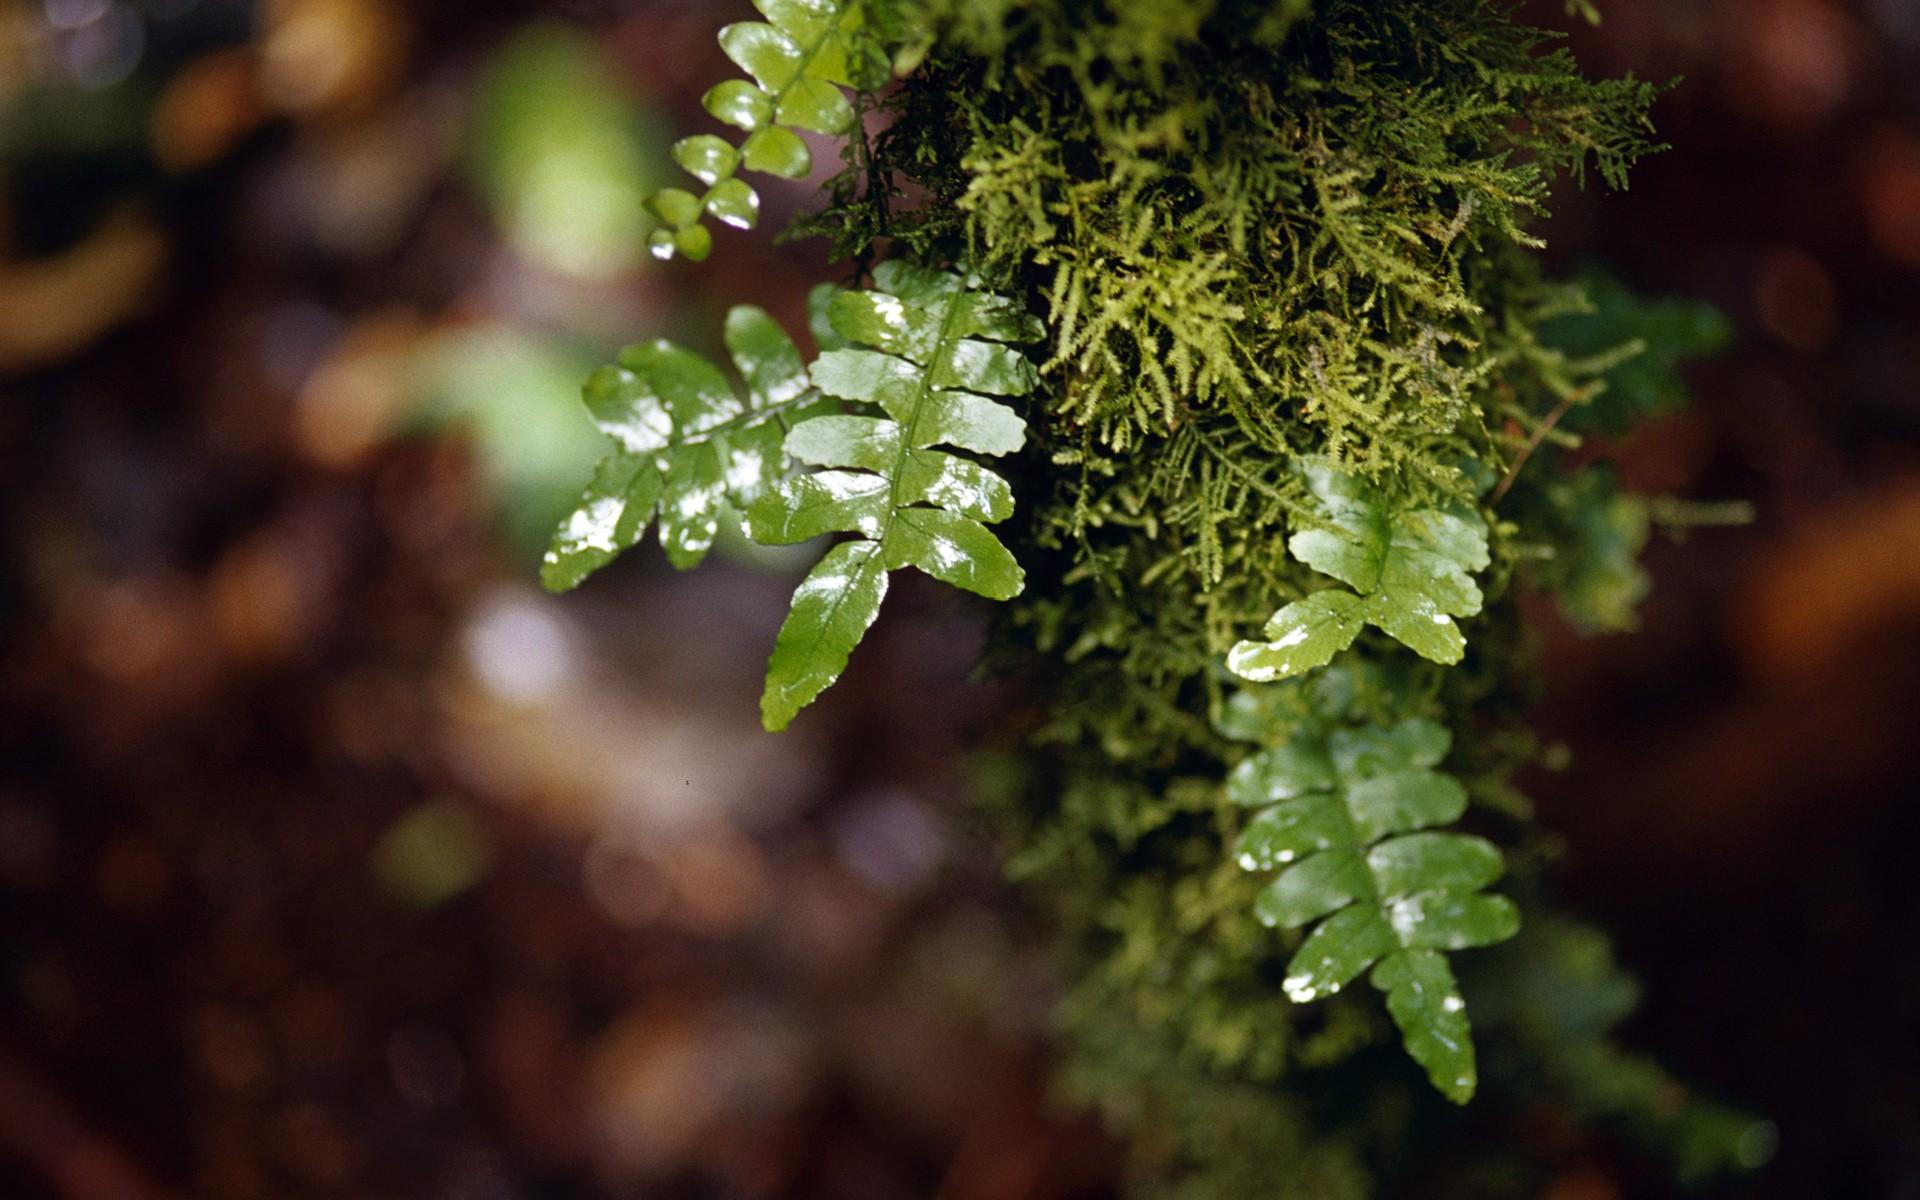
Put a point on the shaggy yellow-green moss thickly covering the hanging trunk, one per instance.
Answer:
(1285, 262)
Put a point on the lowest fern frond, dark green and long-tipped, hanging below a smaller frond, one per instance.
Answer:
(1349, 817)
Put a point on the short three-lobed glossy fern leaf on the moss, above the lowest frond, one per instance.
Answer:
(1410, 569)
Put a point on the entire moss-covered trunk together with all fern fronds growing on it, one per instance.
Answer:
(1264, 237)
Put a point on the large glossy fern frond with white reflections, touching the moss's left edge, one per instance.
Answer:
(938, 352)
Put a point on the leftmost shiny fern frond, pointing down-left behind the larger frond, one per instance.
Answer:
(686, 446)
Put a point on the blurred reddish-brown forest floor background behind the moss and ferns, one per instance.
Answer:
(337, 861)
